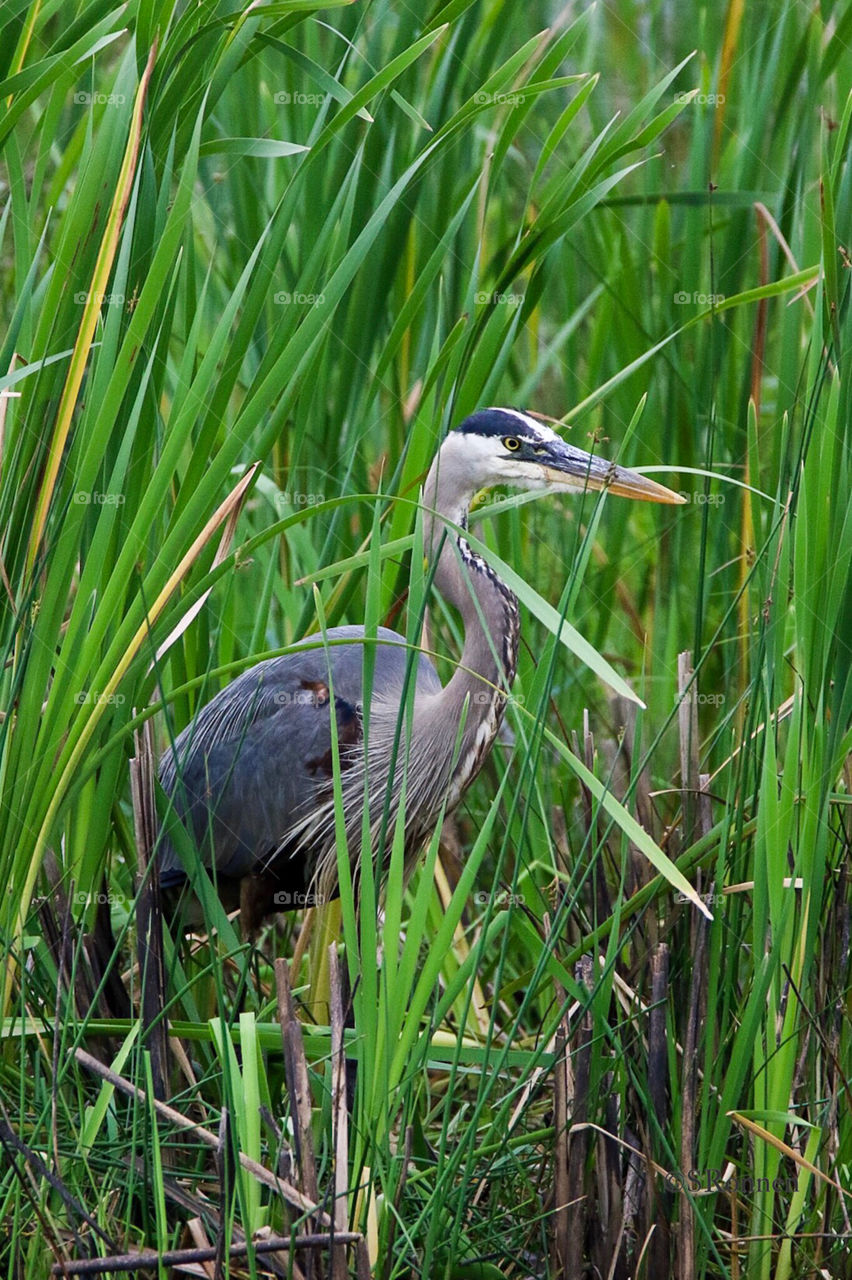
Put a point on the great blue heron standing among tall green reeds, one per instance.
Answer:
(251, 778)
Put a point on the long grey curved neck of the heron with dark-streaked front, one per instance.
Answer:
(489, 612)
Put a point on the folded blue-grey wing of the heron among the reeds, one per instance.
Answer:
(259, 757)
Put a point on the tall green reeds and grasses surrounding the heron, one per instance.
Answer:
(314, 239)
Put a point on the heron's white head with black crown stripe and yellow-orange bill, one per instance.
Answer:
(506, 446)
